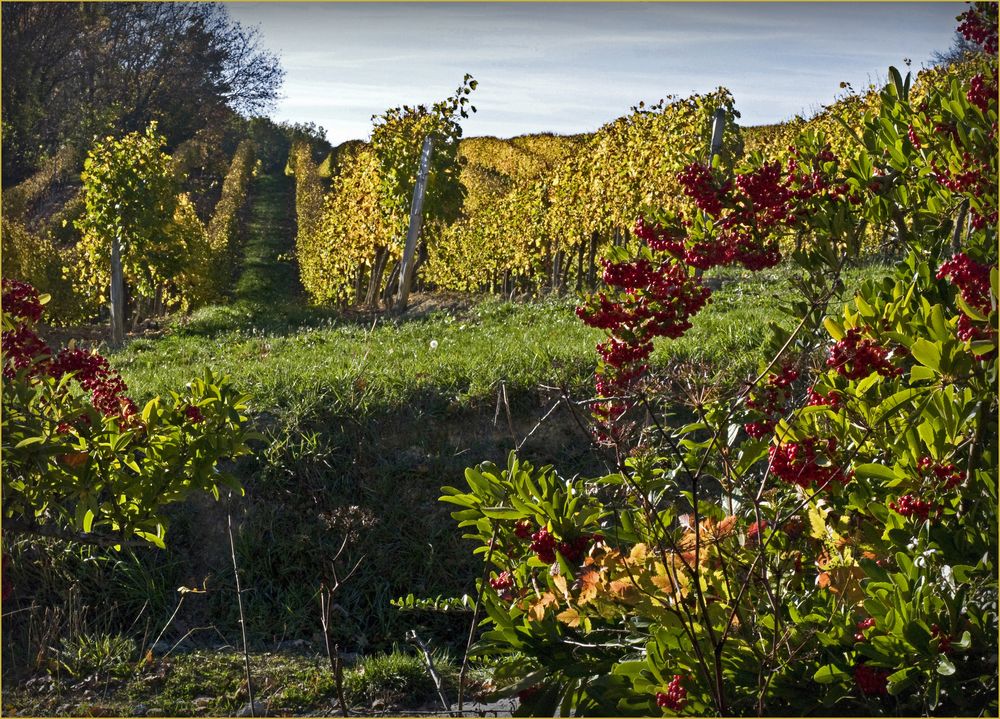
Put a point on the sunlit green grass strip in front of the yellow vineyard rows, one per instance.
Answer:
(452, 357)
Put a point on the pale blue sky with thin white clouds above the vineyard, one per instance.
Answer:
(572, 67)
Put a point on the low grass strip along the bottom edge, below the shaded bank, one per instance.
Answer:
(212, 683)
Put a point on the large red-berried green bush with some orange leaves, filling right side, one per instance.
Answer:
(824, 539)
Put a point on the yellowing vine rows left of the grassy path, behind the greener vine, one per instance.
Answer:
(47, 243)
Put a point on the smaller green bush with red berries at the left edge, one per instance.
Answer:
(81, 460)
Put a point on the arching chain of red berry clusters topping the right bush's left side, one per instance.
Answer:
(653, 300)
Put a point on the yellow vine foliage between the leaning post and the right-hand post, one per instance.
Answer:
(533, 198)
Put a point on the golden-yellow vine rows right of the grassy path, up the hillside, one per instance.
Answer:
(539, 211)
